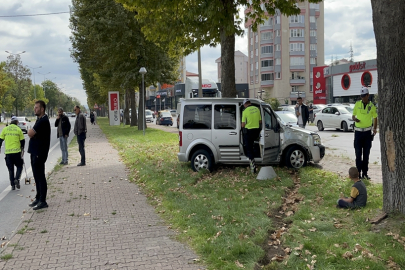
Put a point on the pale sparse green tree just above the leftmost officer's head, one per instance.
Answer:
(21, 76)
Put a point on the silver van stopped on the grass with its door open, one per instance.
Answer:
(210, 132)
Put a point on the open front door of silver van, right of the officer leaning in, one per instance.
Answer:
(270, 135)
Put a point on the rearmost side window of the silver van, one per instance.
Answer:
(197, 117)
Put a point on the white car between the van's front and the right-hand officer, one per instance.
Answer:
(337, 117)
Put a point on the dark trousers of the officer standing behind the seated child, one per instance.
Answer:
(362, 146)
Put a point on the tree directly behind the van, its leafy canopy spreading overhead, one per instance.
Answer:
(193, 24)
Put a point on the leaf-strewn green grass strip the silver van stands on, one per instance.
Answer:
(233, 221)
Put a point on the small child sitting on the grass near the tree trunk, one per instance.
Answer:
(358, 193)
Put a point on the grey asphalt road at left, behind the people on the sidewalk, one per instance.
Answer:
(14, 202)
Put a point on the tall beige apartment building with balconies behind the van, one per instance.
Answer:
(283, 52)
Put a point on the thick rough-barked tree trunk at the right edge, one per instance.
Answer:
(388, 18)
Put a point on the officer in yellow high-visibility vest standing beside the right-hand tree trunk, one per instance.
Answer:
(364, 113)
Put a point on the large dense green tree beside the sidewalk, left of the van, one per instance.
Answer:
(110, 48)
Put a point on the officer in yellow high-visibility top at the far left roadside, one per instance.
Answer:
(14, 150)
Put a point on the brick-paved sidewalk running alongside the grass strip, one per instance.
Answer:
(96, 220)
